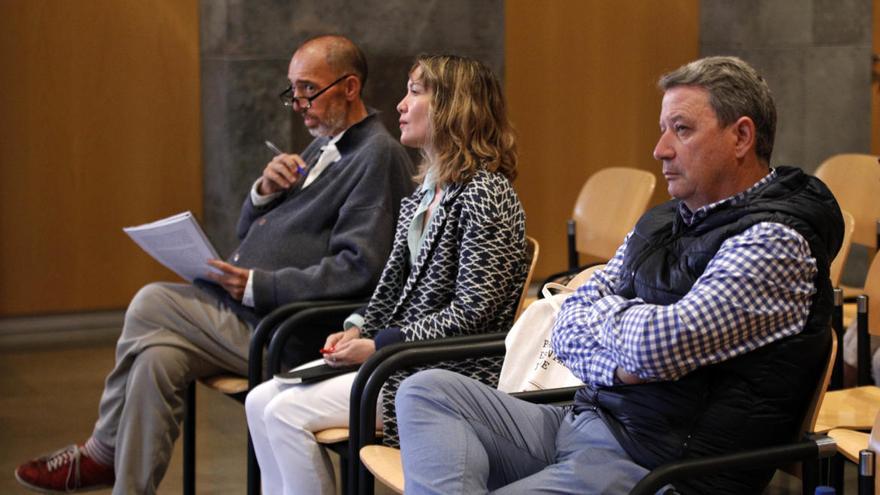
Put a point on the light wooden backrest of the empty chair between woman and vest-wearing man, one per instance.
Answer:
(607, 208)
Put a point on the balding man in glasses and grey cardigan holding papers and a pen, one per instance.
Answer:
(316, 225)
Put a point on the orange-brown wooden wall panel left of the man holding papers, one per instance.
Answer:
(100, 129)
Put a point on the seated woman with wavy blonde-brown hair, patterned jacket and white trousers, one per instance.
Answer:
(456, 267)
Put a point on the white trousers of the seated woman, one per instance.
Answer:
(282, 419)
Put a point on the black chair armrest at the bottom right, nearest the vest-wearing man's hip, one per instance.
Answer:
(817, 447)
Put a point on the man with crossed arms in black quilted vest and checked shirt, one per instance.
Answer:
(705, 334)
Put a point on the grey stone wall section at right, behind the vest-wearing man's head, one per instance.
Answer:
(816, 56)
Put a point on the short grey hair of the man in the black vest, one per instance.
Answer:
(735, 90)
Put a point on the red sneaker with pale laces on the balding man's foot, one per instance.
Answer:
(65, 471)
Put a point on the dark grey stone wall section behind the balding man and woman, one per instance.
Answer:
(245, 49)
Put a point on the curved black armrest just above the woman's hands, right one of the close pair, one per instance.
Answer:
(323, 316)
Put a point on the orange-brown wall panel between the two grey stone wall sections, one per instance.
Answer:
(580, 79)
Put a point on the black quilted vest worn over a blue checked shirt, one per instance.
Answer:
(754, 400)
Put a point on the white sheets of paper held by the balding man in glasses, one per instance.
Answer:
(178, 242)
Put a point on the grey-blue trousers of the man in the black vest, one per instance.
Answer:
(459, 436)
